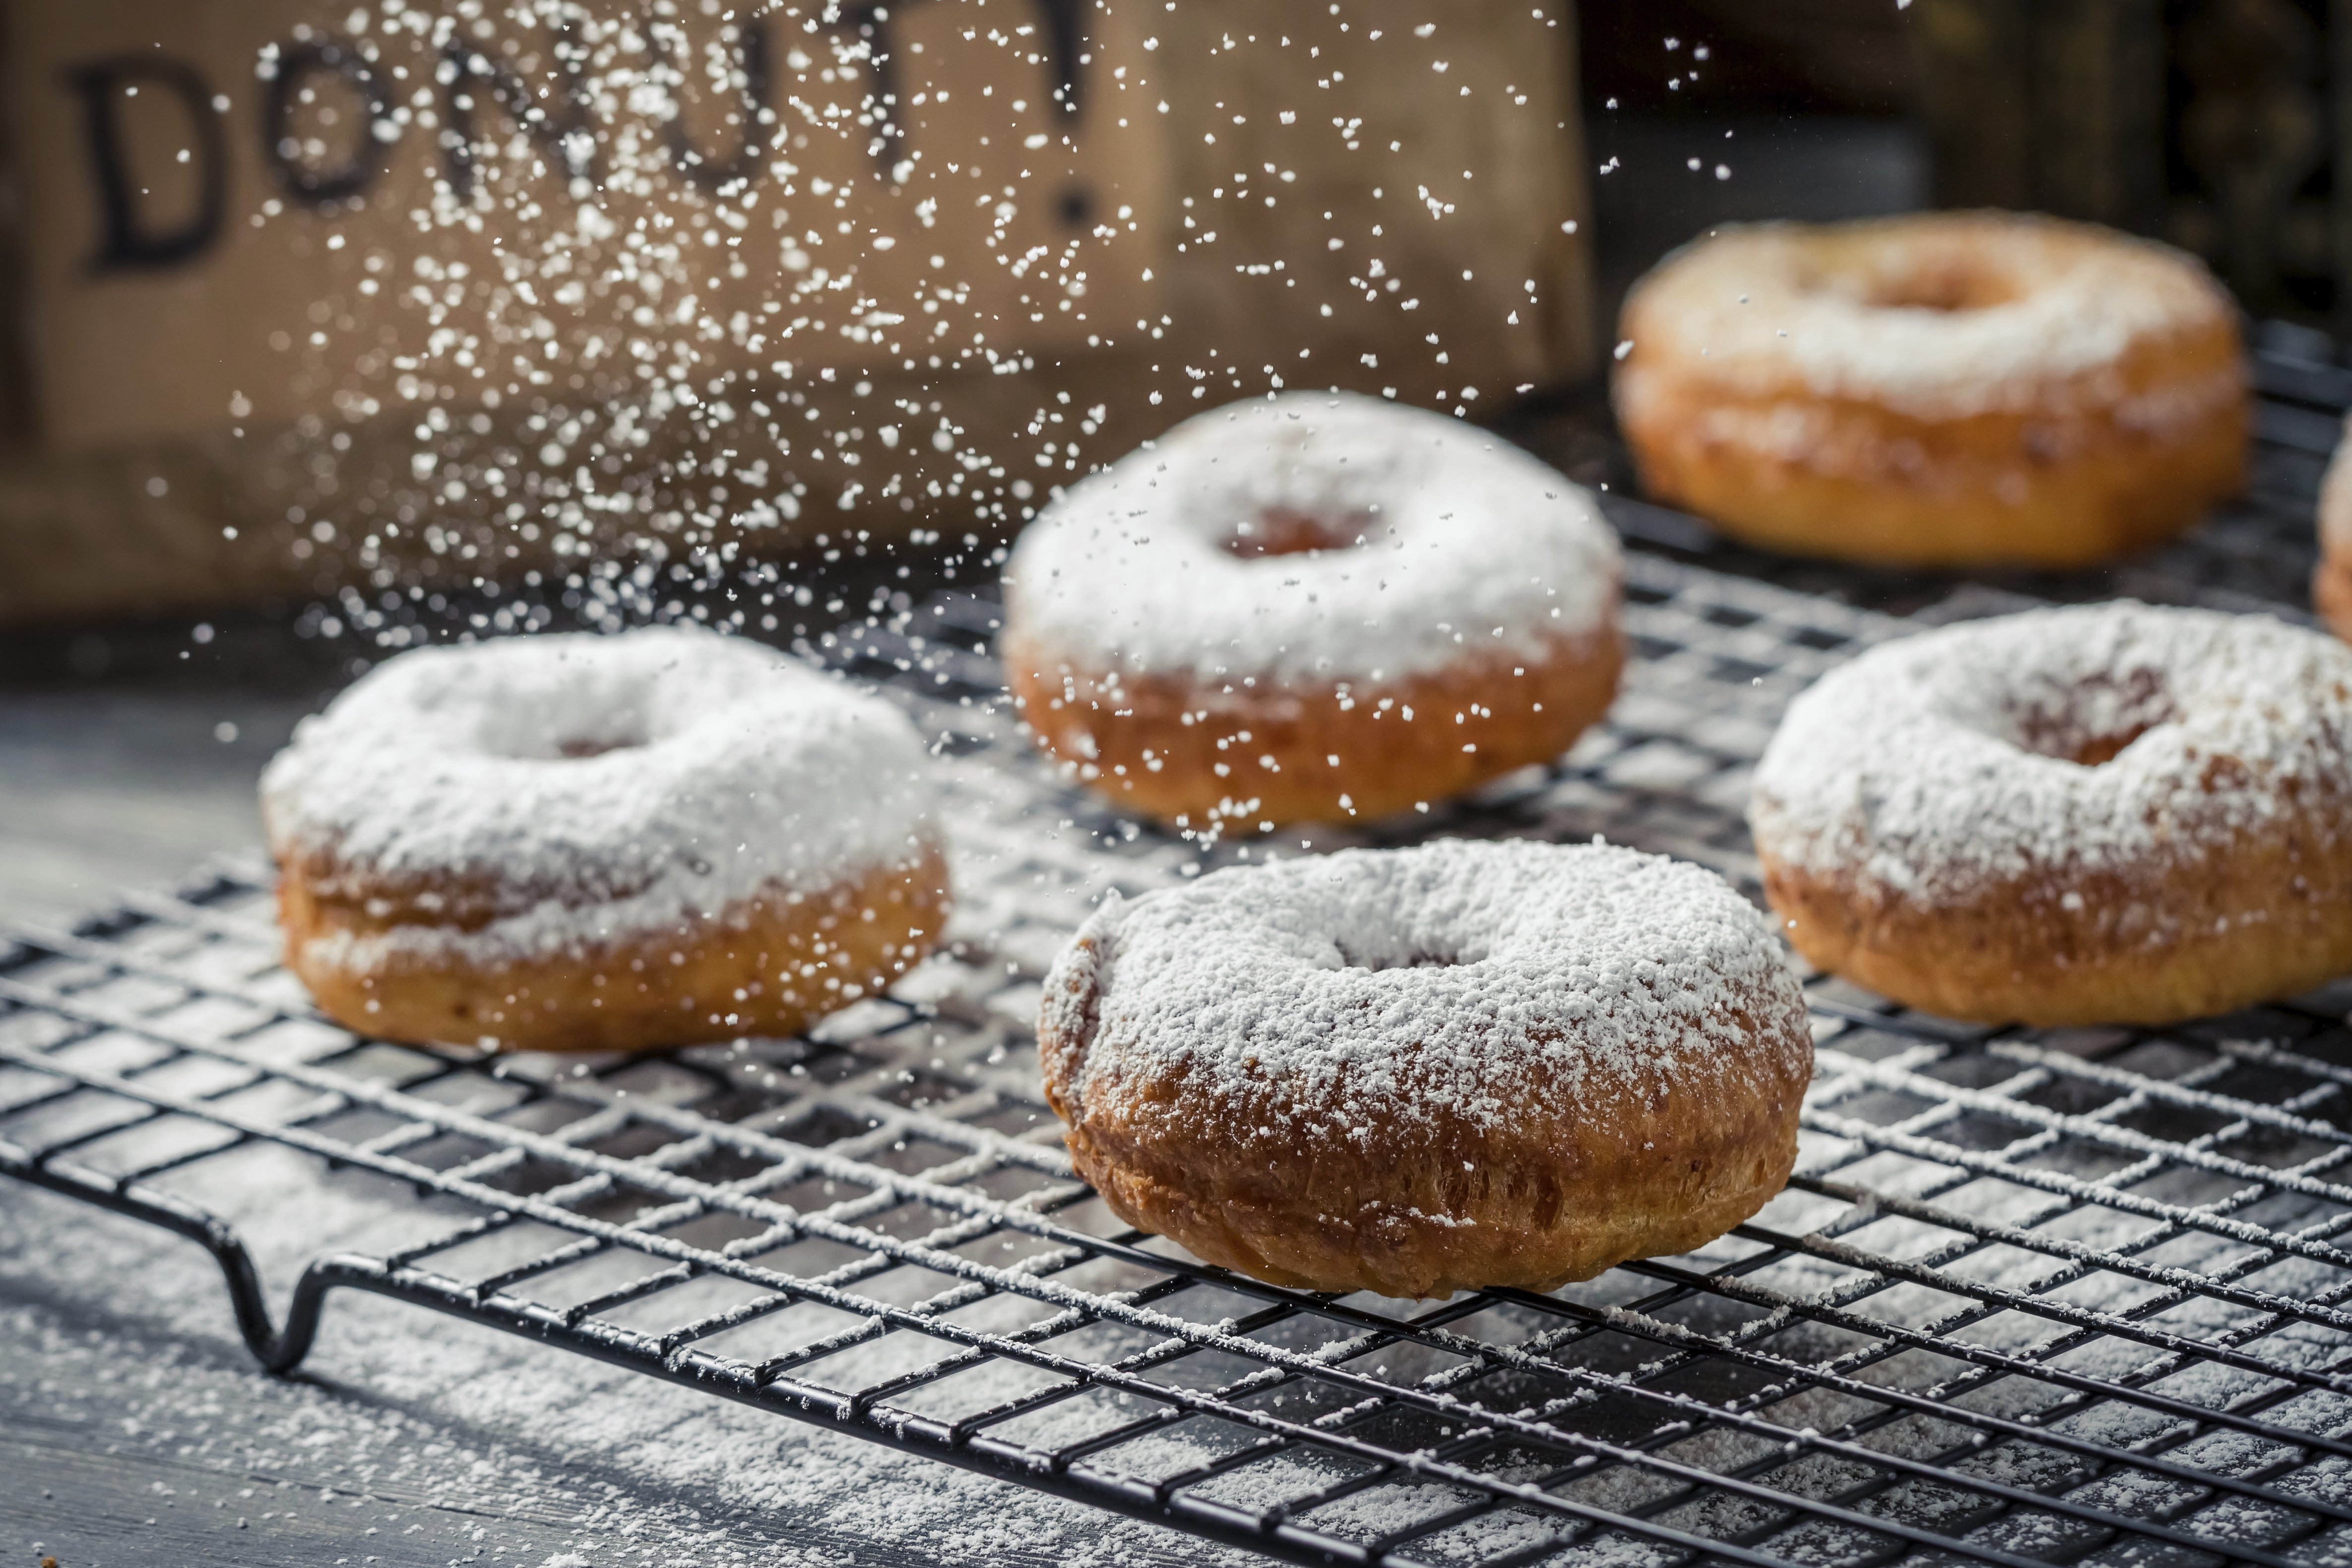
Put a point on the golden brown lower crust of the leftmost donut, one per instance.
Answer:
(768, 967)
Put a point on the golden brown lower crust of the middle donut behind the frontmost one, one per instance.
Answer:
(1311, 753)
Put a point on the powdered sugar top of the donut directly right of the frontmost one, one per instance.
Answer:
(2059, 744)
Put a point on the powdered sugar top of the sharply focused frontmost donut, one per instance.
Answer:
(1448, 996)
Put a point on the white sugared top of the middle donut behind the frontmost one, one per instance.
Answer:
(1314, 537)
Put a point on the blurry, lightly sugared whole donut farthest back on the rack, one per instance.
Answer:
(1935, 391)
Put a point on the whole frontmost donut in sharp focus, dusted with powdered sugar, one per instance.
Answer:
(1429, 1071)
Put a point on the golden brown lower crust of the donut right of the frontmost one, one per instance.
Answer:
(2014, 953)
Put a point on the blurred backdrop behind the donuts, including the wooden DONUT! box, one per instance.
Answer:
(173, 601)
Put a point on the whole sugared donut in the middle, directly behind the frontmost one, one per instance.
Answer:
(1311, 608)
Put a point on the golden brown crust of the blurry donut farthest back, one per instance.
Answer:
(2064, 481)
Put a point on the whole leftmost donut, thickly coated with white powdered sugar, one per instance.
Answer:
(582, 843)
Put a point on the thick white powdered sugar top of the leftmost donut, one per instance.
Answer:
(570, 789)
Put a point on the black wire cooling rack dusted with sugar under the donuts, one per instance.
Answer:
(2033, 1296)
